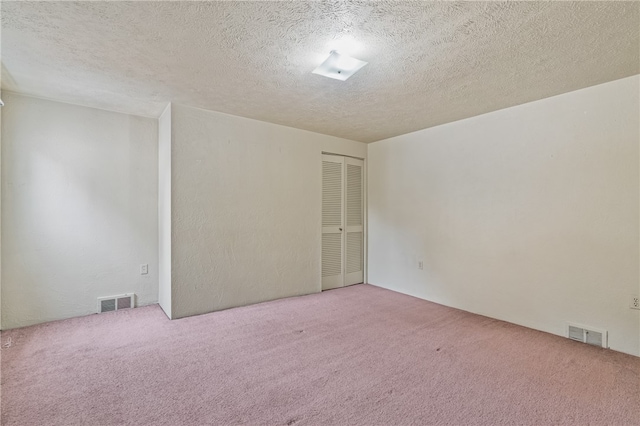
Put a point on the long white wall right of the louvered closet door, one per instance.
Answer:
(528, 214)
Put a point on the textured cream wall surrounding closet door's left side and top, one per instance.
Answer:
(245, 210)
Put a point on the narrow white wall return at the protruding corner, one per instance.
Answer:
(164, 211)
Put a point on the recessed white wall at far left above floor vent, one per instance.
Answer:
(79, 209)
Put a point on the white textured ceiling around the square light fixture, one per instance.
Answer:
(429, 62)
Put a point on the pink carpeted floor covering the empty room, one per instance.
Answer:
(354, 356)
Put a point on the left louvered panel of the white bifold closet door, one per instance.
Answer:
(332, 222)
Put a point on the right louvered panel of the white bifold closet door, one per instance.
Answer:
(354, 250)
